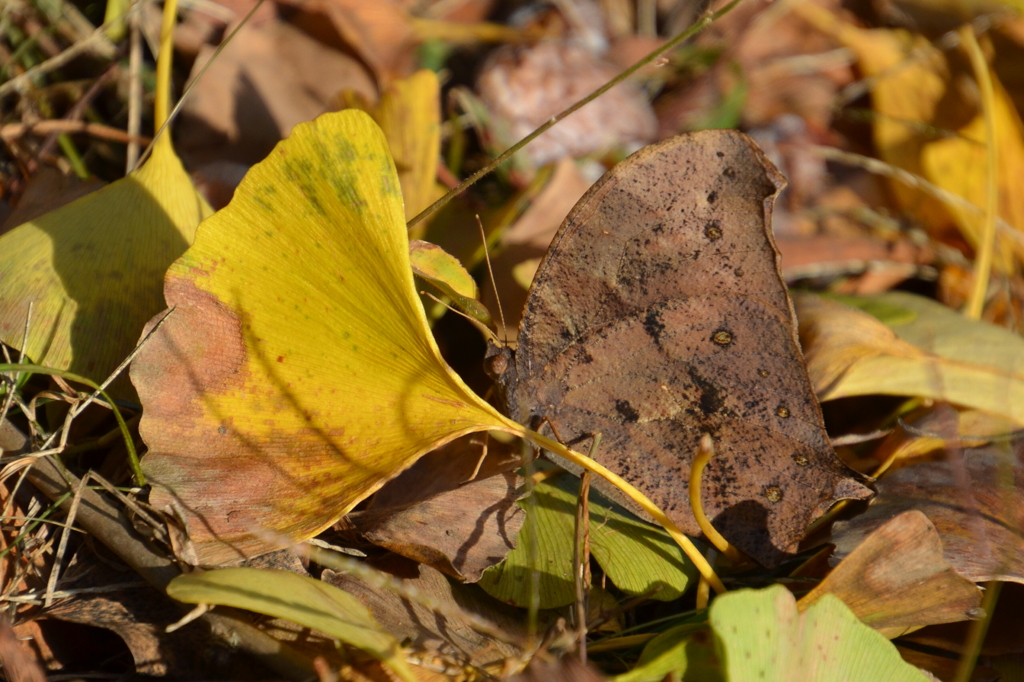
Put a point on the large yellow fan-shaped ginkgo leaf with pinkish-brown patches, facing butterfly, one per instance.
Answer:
(297, 373)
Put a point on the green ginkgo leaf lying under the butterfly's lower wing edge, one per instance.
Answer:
(636, 557)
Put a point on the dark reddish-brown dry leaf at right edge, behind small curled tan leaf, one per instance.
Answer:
(972, 498)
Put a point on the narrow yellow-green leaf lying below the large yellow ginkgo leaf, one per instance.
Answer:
(297, 599)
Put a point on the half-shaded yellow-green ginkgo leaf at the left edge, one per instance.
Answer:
(93, 270)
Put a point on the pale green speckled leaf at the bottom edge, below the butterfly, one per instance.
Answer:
(763, 637)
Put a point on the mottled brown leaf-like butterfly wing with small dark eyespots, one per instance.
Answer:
(660, 314)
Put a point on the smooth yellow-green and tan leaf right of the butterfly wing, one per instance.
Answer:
(926, 351)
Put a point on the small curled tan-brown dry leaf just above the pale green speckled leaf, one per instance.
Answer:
(899, 579)
